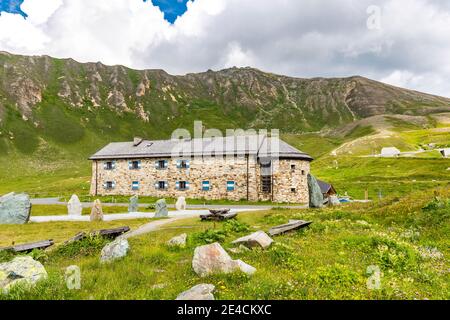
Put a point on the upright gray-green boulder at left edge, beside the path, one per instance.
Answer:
(15, 208)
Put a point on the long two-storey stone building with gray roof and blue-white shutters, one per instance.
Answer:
(254, 168)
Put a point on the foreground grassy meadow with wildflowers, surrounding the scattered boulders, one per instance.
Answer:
(405, 238)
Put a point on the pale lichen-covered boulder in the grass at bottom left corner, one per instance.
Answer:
(21, 270)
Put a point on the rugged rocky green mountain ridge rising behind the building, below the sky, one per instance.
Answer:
(63, 101)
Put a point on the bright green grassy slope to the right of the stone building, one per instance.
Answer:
(353, 169)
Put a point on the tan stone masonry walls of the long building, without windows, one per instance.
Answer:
(245, 172)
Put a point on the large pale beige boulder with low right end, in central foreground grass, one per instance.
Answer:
(212, 258)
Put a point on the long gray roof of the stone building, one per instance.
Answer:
(261, 146)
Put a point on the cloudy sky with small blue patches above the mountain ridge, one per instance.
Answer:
(401, 42)
